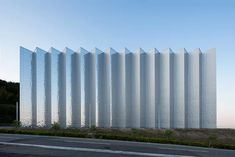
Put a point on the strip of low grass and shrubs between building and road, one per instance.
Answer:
(213, 138)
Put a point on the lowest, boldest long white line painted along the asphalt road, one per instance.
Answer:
(93, 150)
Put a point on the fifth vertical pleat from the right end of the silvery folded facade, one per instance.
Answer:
(147, 90)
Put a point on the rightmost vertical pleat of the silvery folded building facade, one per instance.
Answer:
(208, 89)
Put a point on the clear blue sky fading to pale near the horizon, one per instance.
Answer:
(124, 23)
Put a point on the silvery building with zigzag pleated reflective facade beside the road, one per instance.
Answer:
(118, 89)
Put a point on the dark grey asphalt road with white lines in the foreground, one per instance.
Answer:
(14, 145)
